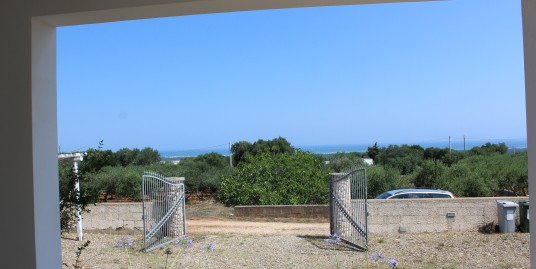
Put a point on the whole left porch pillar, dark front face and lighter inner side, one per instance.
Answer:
(30, 203)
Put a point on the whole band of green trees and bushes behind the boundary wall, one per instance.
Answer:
(270, 172)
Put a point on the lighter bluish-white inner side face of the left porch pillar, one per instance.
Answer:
(45, 146)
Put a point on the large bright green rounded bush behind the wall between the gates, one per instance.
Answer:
(285, 178)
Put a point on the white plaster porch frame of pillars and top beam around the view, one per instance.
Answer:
(27, 105)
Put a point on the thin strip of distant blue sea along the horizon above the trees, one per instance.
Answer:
(456, 144)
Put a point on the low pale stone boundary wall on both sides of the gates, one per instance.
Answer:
(385, 216)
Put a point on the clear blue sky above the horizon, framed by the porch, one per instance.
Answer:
(388, 73)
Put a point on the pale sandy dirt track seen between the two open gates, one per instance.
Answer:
(218, 226)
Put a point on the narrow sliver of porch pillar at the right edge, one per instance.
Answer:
(529, 45)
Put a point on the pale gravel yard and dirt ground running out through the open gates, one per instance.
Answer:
(294, 243)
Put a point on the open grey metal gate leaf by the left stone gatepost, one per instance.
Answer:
(164, 218)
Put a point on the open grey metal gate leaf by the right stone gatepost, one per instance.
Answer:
(348, 207)
